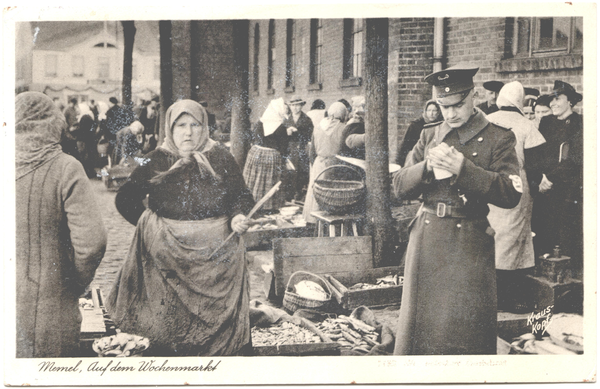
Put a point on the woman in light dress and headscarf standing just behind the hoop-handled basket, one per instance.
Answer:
(327, 142)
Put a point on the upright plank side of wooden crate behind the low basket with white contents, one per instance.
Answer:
(335, 256)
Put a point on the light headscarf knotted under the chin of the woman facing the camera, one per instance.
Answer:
(198, 112)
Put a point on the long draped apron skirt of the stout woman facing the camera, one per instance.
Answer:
(171, 292)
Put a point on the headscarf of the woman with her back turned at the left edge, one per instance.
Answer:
(39, 125)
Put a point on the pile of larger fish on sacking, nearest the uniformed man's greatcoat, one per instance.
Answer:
(350, 333)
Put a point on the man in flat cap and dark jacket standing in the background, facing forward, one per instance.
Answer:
(298, 147)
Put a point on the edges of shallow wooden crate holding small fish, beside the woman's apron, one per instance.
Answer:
(326, 347)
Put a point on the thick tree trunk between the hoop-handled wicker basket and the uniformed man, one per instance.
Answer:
(379, 217)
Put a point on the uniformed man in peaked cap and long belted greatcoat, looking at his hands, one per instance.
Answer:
(458, 166)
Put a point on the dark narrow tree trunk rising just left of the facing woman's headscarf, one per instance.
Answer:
(166, 75)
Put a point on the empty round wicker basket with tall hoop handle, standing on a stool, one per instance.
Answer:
(339, 196)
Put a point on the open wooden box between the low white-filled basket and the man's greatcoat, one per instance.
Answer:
(376, 297)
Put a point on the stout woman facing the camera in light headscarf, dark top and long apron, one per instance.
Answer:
(170, 289)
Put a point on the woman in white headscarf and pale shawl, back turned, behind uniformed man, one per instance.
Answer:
(513, 239)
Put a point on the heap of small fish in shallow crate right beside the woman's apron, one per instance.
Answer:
(284, 333)
